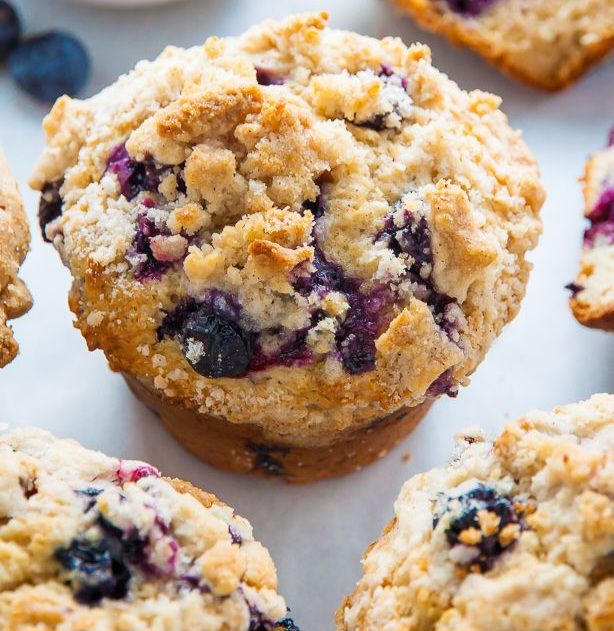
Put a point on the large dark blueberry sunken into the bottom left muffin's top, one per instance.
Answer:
(97, 569)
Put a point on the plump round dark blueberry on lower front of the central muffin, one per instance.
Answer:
(216, 347)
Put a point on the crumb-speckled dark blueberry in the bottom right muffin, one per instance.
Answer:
(466, 518)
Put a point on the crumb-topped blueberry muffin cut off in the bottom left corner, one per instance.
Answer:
(93, 542)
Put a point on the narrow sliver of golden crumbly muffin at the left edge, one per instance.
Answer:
(15, 299)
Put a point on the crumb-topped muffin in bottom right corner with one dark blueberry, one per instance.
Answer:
(536, 504)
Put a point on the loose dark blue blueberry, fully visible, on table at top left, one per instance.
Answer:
(49, 65)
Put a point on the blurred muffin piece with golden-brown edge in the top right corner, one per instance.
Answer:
(545, 43)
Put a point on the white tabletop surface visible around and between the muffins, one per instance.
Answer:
(316, 533)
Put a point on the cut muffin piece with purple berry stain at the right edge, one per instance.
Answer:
(592, 300)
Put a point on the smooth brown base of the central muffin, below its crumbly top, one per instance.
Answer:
(243, 449)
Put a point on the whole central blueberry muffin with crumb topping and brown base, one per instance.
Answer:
(291, 241)
